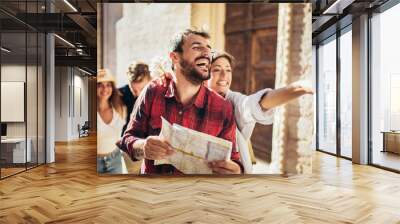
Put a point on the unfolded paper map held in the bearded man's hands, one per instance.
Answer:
(193, 149)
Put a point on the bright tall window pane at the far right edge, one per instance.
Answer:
(385, 87)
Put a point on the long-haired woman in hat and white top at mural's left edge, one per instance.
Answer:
(110, 120)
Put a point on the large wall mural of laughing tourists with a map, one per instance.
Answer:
(200, 95)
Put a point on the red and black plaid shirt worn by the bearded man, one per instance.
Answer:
(208, 113)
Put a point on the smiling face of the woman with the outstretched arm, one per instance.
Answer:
(221, 76)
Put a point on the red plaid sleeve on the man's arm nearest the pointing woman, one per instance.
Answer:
(229, 133)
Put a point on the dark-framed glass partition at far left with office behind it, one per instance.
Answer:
(22, 67)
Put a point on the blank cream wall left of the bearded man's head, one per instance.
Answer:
(145, 31)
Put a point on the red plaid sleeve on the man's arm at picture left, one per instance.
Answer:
(137, 127)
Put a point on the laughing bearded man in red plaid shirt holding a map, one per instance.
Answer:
(185, 101)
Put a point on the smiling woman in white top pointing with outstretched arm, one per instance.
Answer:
(251, 109)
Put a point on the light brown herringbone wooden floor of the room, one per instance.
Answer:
(70, 191)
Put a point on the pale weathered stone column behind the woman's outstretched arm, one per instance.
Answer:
(293, 123)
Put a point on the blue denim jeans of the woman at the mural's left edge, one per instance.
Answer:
(110, 163)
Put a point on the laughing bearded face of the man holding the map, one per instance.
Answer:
(194, 60)
